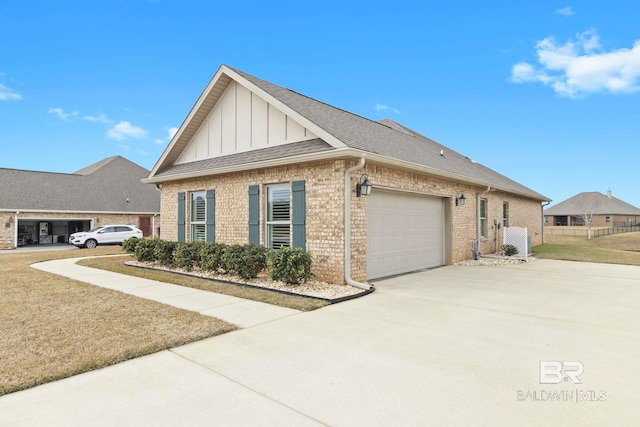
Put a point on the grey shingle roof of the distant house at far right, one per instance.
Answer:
(594, 203)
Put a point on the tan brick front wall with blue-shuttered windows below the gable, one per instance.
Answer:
(324, 215)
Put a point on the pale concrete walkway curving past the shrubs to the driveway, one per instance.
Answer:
(241, 312)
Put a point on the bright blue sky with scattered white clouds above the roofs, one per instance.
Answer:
(545, 92)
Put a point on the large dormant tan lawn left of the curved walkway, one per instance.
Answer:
(53, 327)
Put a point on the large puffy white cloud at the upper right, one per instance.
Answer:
(581, 66)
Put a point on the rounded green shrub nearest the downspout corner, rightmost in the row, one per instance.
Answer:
(289, 265)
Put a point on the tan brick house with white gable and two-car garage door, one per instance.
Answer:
(255, 162)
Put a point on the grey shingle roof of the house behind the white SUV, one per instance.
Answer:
(104, 186)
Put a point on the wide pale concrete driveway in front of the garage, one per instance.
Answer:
(457, 345)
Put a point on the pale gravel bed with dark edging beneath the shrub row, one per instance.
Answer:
(332, 293)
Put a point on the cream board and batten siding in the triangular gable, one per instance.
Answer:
(242, 121)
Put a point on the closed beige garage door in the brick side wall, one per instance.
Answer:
(405, 232)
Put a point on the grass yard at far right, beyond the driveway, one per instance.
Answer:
(621, 248)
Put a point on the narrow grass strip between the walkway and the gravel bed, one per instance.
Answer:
(117, 264)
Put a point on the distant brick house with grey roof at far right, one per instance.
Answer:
(604, 211)
